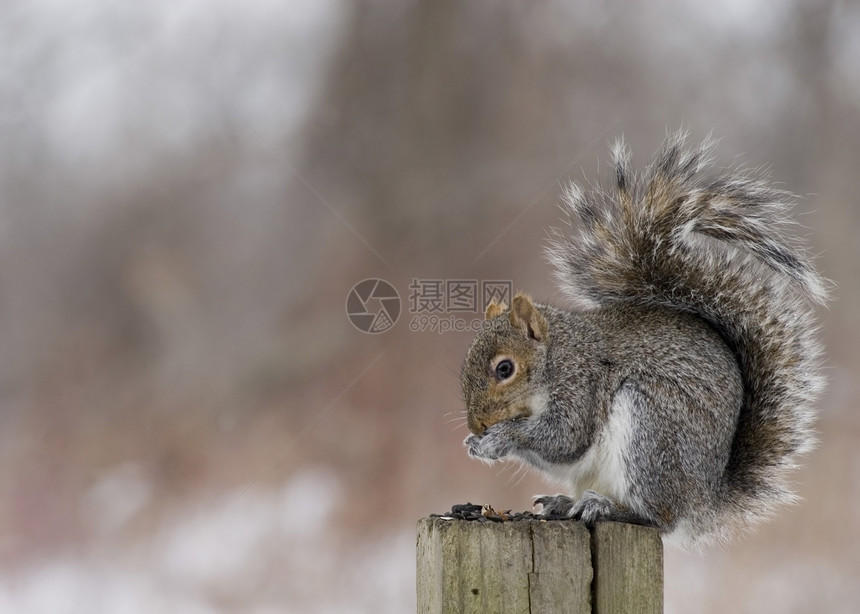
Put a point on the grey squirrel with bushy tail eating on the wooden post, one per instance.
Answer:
(681, 393)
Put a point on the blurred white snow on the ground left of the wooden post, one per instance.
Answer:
(267, 550)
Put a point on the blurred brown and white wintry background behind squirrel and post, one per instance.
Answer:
(188, 190)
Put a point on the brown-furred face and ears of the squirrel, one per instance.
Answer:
(514, 335)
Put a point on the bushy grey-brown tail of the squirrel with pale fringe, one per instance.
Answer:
(717, 248)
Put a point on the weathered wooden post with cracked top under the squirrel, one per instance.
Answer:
(531, 566)
